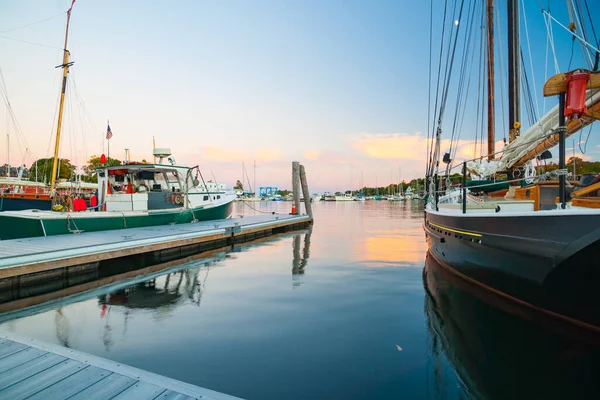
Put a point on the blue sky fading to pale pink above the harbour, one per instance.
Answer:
(339, 85)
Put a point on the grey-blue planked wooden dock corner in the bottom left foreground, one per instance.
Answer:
(30, 369)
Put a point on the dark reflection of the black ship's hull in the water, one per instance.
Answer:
(505, 355)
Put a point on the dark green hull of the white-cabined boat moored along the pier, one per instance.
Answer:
(16, 227)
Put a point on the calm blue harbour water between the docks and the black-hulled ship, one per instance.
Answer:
(343, 311)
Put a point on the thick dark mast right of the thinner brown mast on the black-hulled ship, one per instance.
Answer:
(514, 70)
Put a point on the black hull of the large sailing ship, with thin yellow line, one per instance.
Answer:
(548, 262)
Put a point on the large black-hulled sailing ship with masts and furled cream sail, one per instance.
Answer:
(538, 241)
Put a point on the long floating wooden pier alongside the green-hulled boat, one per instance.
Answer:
(20, 257)
